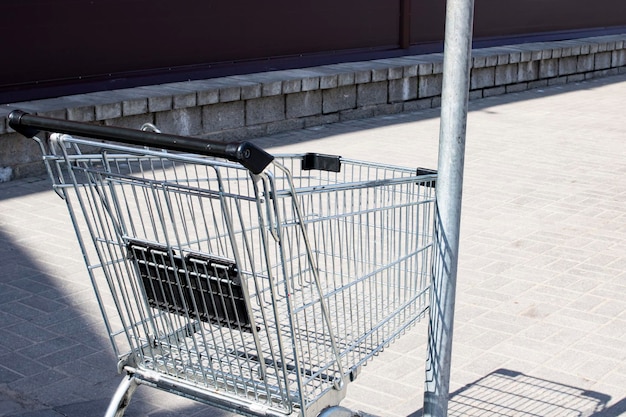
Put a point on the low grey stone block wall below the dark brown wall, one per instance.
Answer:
(242, 107)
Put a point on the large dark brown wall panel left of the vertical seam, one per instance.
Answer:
(70, 38)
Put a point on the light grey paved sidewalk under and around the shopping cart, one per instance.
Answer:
(541, 301)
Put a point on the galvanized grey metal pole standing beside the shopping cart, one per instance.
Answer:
(454, 99)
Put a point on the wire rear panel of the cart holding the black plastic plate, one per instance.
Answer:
(161, 230)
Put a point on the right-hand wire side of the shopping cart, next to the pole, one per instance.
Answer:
(370, 227)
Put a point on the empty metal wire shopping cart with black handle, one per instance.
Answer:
(254, 283)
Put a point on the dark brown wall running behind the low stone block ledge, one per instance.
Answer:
(72, 42)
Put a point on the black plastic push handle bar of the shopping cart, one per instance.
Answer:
(247, 154)
